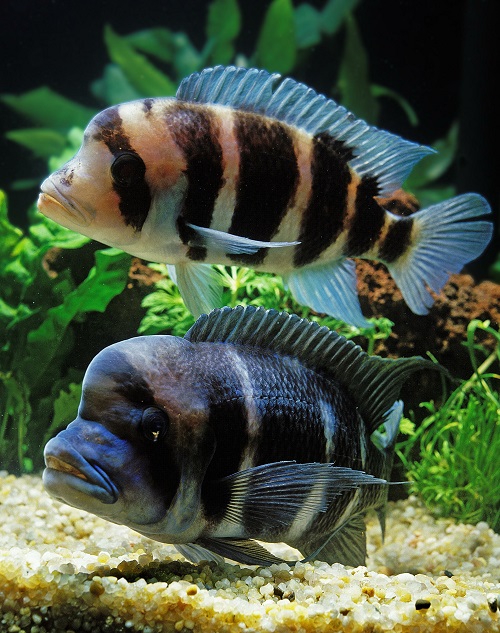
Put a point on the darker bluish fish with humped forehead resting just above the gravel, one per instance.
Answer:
(256, 425)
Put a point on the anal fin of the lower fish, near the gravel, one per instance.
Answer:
(347, 545)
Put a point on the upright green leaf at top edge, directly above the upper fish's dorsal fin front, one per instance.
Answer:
(276, 47)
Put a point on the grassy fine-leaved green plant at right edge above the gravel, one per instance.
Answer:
(456, 469)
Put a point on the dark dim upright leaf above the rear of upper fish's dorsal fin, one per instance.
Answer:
(353, 81)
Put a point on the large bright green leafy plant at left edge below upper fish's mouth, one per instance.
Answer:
(36, 337)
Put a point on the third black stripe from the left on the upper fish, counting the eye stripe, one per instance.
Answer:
(268, 179)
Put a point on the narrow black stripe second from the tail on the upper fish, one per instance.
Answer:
(367, 221)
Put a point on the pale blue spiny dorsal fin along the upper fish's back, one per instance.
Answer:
(377, 153)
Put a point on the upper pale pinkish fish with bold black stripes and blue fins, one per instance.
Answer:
(242, 167)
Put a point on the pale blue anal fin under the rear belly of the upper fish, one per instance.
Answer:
(330, 288)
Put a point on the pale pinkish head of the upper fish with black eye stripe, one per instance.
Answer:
(108, 189)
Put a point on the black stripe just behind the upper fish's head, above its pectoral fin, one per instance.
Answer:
(195, 132)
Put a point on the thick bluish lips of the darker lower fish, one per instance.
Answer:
(68, 475)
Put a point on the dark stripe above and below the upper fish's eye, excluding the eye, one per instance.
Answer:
(135, 200)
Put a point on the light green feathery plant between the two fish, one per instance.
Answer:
(167, 314)
